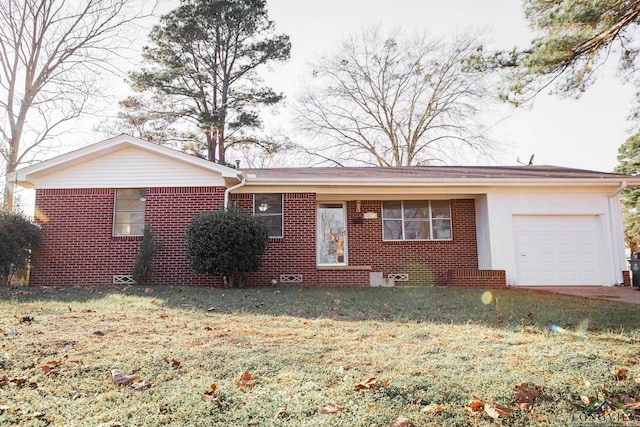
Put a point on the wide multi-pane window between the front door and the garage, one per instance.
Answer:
(416, 220)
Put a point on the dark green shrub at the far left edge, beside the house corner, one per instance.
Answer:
(18, 236)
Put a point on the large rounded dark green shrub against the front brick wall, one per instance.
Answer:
(226, 243)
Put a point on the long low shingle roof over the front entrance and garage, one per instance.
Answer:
(428, 172)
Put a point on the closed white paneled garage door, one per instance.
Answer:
(558, 250)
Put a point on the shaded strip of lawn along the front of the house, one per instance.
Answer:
(505, 308)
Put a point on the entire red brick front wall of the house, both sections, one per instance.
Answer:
(78, 246)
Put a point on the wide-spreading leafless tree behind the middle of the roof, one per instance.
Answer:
(394, 101)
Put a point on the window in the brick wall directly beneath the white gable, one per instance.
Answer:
(128, 213)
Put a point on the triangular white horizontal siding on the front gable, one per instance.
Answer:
(129, 167)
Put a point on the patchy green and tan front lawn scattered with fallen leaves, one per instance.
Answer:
(307, 348)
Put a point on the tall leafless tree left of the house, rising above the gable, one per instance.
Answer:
(51, 52)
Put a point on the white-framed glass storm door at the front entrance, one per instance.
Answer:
(331, 235)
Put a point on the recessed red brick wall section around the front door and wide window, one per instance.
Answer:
(426, 262)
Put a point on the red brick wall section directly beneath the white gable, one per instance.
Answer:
(78, 247)
